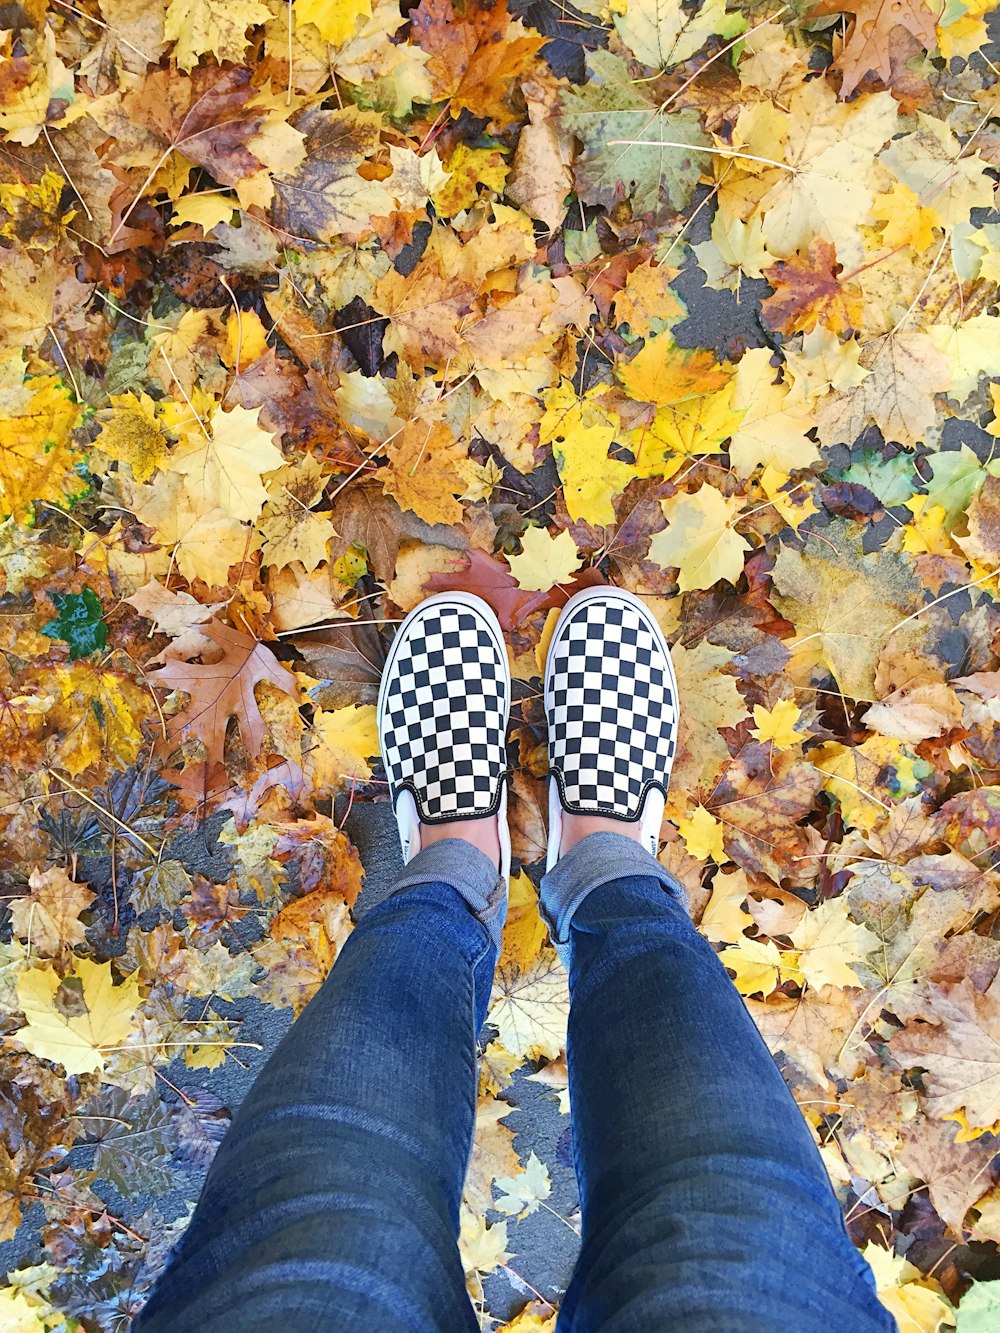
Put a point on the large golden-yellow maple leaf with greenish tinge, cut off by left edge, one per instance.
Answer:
(38, 461)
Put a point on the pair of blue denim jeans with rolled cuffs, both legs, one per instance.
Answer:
(334, 1200)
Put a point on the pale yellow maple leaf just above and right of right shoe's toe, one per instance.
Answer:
(701, 542)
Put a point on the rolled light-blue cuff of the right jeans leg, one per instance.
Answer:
(597, 859)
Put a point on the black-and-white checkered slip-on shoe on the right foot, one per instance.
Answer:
(611, 702)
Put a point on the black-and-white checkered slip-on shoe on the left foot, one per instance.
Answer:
(443, 708)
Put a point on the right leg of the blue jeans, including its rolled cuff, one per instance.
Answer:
(706, 1204)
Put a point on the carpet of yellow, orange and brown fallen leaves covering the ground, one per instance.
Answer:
(303, 322)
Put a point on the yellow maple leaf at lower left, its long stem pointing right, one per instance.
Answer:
(77, 1040)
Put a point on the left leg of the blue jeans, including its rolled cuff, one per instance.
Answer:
(334, 1200)
